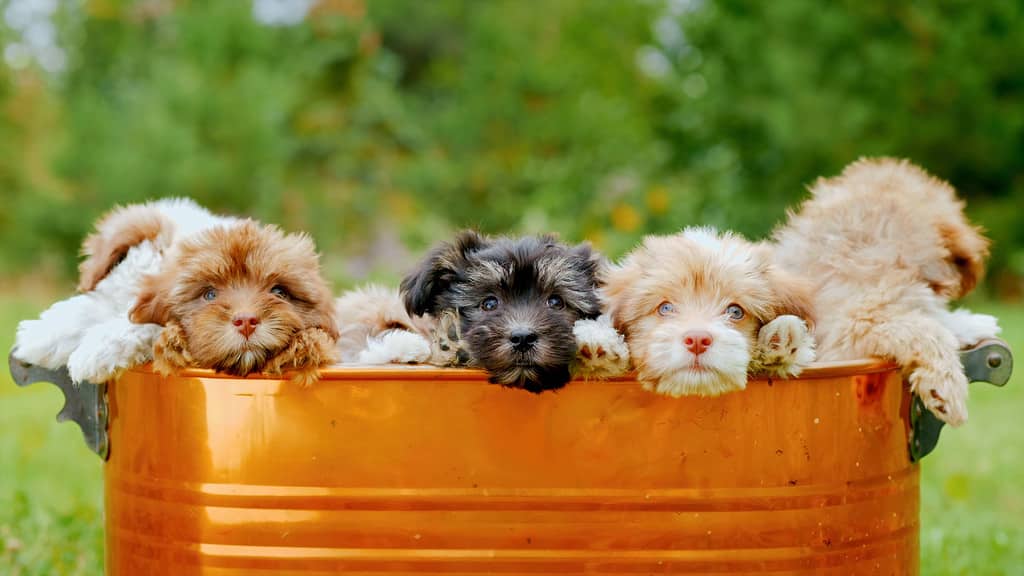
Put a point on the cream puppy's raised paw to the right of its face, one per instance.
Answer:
(785, 347)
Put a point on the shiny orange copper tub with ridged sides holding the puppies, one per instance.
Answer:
(411, 470)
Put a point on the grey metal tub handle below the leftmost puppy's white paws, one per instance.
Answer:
(86, 404)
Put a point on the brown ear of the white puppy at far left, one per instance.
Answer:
(117, 233)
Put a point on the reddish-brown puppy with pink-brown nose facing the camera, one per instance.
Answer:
(241, 299)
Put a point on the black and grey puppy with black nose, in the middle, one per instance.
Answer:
(517, 301)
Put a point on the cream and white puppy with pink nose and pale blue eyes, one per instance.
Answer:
(701, 309)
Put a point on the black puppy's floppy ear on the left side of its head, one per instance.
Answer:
(435, 275)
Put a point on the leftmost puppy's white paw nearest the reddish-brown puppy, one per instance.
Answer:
(111, 348)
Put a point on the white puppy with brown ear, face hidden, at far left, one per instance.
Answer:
(91, 334)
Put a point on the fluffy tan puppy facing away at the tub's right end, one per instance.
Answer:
(887, 246)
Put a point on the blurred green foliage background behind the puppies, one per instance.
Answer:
(382, 127)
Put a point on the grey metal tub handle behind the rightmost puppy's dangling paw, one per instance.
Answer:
(991, 361)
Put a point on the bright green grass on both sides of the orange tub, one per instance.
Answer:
(52, 486)
